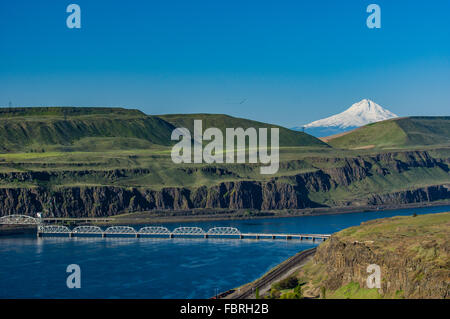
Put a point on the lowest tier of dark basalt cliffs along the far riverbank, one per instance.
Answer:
(107, 201)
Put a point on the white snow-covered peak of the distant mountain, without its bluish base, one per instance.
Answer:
(359, 114)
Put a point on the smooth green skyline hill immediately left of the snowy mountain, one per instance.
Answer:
(221, 121)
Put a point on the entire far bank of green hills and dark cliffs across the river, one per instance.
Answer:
(69, 149)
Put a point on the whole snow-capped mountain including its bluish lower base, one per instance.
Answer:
(359, 114)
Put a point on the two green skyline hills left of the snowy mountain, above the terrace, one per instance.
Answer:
(37, 129)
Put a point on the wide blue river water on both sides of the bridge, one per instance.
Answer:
(33, 267)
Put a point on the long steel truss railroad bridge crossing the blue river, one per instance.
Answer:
(149, 231)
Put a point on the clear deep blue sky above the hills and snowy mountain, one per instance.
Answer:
(284, 62)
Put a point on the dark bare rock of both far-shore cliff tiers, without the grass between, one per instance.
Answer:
(291, 192)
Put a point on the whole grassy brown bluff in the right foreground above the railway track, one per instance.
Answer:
(412, 254)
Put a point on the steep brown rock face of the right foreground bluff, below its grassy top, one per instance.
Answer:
(347, 262)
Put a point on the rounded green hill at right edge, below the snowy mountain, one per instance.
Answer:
(397, 133)
